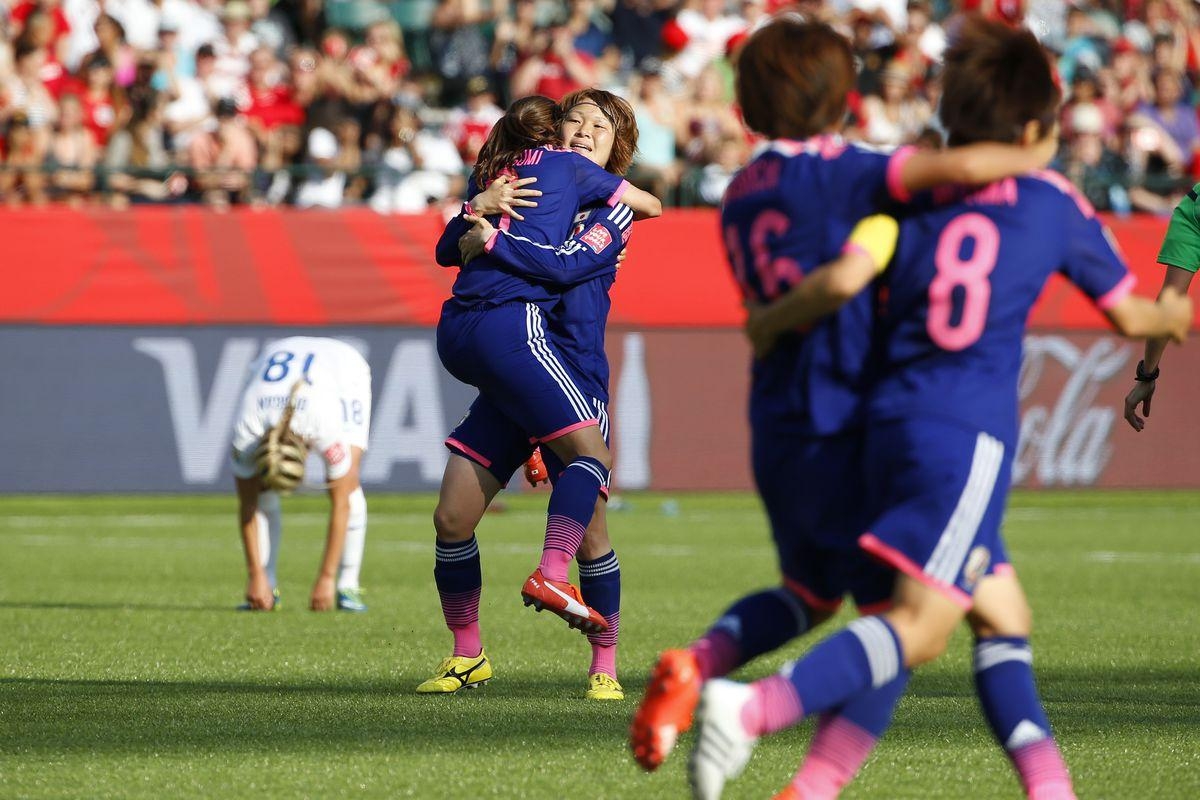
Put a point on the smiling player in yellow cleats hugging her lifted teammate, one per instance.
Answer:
(488, 447)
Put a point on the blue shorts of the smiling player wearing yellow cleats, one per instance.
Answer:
(500, 446)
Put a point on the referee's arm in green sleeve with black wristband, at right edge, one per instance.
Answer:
(1181, 256)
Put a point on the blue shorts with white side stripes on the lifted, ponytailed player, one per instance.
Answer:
(503, 352)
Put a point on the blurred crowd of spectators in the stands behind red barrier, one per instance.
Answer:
(321, 104)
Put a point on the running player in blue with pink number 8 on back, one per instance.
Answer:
(941, 430)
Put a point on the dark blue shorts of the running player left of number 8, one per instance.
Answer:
(813, 490)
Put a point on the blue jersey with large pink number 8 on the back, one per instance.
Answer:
(955, 302)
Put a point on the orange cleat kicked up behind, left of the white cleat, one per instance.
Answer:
(668, 708)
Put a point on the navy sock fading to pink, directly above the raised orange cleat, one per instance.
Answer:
(757, 624)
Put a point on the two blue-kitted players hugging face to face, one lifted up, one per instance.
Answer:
(526, 327)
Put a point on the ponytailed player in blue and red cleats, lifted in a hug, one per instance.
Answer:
(493, 335)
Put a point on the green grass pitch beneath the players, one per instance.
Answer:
(127, 673)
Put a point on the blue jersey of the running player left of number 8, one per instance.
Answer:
(785, 214)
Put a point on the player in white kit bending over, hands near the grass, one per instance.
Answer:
(303, 393)
